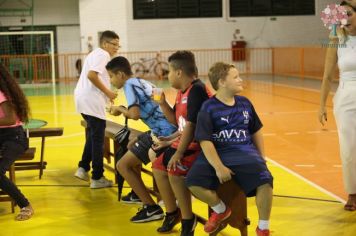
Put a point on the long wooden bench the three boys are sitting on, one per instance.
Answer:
(229, 192)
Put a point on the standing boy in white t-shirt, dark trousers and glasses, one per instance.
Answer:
(92, 93)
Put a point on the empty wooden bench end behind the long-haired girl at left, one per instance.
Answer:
(38, 165)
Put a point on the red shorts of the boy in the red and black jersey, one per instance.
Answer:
(186, 162)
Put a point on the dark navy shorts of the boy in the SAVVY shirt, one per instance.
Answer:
(248, 176)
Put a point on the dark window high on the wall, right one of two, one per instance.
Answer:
(271, 7)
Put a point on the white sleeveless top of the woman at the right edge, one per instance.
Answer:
(347, 59)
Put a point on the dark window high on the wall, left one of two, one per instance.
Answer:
(157, 9)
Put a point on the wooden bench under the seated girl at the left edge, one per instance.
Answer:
(28, 155)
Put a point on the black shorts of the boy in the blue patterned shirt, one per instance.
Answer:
(141, 147)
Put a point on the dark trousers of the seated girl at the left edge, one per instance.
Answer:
(13, 143)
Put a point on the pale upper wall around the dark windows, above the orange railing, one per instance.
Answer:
(95, 16)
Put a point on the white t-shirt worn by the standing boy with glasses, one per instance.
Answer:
(89, 100)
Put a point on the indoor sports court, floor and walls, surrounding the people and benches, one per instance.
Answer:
(282, 75)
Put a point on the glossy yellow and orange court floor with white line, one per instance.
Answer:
(304, 204)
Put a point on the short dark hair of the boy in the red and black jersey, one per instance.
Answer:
(185, 61)
